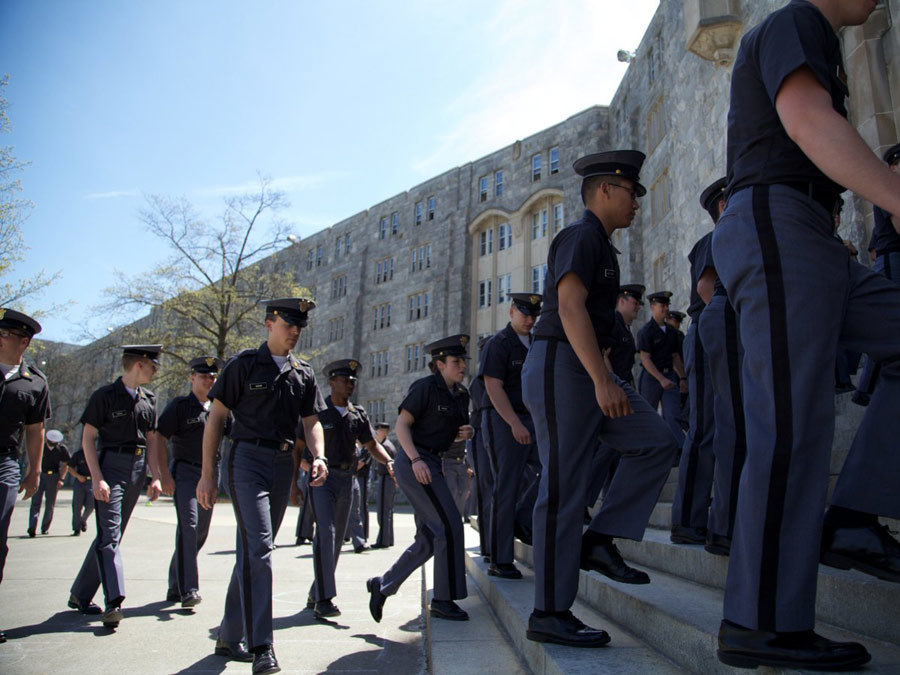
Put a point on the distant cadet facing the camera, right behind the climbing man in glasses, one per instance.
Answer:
(662, 370)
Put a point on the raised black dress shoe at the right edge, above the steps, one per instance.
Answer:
(868, 549)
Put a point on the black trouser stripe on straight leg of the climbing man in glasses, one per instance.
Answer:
(552, 479)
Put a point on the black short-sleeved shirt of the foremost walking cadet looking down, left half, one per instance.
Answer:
(267, 403)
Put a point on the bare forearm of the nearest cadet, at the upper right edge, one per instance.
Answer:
(833, 145)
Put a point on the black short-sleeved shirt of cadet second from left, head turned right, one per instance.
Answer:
(123, 421)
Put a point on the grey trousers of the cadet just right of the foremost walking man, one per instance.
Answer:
(331, 509)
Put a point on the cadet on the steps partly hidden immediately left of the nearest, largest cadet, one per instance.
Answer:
(722, 344)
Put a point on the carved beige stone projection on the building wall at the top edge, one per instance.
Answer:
(712, 29)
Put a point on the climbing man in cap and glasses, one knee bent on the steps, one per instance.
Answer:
(563, 375)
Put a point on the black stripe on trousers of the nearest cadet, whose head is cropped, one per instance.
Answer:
(784, 409)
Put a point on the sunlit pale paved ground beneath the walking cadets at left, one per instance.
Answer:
(159, 637)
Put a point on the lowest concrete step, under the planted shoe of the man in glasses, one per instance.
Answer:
(512, 602)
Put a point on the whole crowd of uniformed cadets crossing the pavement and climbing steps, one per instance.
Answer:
(554, 416)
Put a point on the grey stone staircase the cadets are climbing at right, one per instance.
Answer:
(672, 624)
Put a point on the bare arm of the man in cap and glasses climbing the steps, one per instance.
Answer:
(580, 332)
